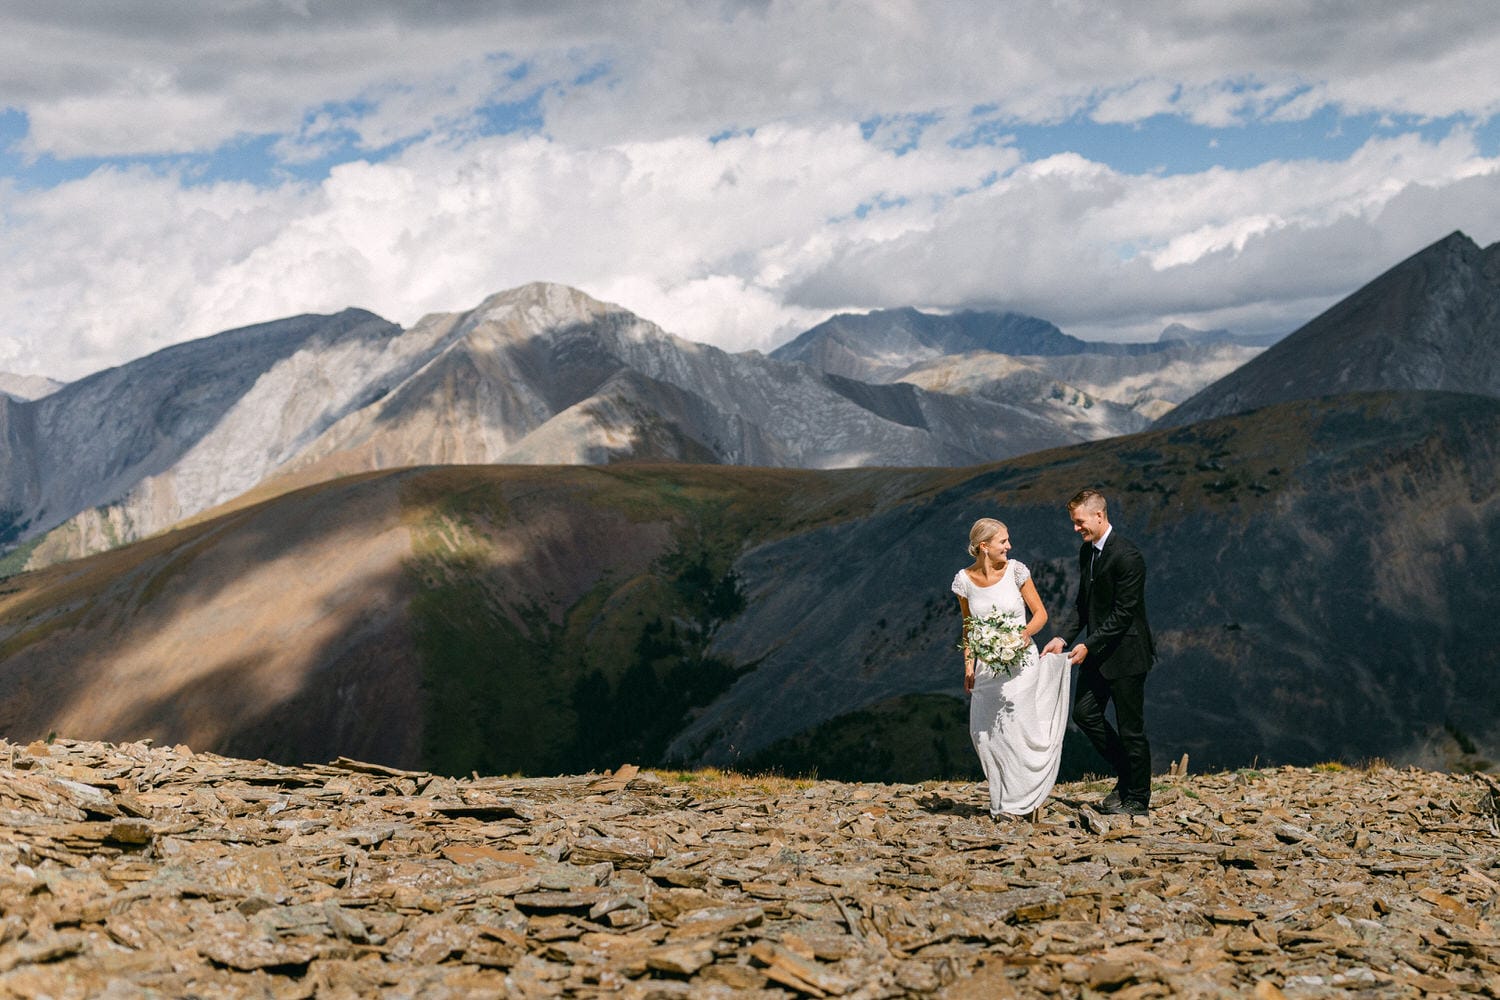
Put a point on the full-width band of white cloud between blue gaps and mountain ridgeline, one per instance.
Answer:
(739, 244)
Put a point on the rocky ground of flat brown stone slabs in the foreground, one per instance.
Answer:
(133, 870)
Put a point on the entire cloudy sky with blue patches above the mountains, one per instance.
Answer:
(733, 172)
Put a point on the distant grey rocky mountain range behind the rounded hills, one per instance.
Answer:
(541, 374)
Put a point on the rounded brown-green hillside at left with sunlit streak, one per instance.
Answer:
(508, 620)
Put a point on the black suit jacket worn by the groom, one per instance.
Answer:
(1112, 609)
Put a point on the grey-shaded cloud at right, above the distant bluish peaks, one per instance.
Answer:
(1097, 251)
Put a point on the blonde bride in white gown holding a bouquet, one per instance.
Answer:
(1019, 701)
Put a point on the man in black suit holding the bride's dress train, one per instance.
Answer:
(1117, 651)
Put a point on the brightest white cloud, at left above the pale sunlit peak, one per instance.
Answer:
(704, 233)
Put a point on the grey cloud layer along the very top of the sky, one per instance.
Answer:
(185, 76)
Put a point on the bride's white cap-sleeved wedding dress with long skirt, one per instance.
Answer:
(1016, 720)
